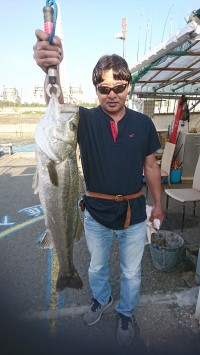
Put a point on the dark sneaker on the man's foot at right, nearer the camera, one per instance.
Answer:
(125, 331)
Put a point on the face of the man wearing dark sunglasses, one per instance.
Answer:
(112, 103)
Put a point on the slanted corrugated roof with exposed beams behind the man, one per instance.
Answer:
(172, 68)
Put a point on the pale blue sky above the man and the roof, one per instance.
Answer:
(89, 28)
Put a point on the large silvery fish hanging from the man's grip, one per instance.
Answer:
(59, 184)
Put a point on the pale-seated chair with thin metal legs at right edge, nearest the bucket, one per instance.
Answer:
(187, 194)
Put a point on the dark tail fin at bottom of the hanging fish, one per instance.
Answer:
(72, 281)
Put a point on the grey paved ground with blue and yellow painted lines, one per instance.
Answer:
(36, 320)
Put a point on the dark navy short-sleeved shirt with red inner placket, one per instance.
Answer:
(113, 162)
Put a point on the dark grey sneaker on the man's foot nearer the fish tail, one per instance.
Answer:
(95, 310)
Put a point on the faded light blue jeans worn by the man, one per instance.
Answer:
(131, 247)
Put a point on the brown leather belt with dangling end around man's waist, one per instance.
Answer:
(117, 198)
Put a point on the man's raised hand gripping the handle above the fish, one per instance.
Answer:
(46, 54)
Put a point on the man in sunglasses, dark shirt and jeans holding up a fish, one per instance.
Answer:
(116, 144)
